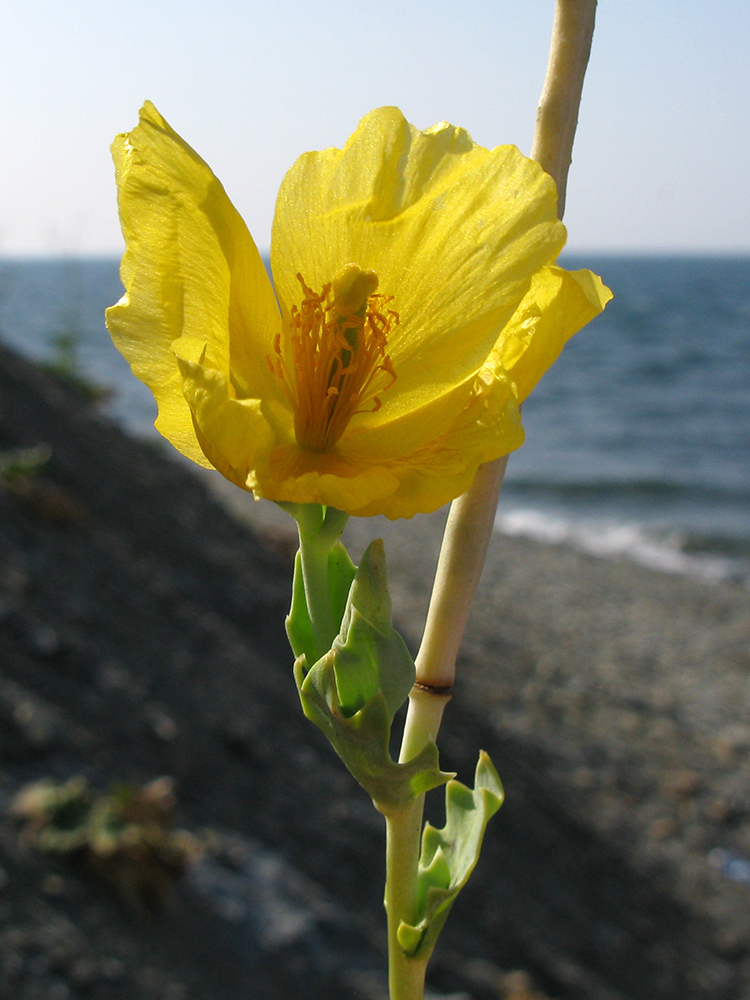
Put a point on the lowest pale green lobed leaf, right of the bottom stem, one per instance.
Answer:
(449, 855)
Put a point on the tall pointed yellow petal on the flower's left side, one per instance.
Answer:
(190, 269)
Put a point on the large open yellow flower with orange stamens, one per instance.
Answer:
(415, 304)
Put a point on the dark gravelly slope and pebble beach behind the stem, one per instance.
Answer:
(141, 635)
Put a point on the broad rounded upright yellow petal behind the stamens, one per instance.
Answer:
(453, 231)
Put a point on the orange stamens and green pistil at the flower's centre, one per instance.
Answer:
(332, 356)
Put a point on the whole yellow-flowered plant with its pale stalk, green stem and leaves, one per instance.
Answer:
(416, 302)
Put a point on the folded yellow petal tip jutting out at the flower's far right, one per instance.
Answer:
(556, 306)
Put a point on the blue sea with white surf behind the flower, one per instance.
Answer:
(637, 440)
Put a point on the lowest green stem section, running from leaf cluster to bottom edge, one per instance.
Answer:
(403, 836)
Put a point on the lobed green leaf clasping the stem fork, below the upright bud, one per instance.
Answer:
(361, 740)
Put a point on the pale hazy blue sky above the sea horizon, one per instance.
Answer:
(662, 155)
